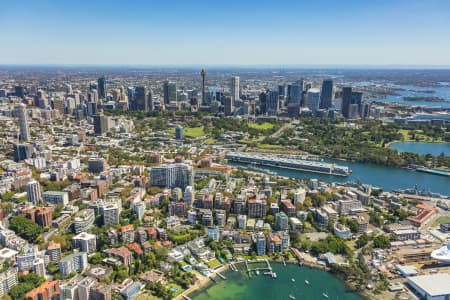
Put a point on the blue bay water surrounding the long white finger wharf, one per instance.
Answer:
(386, 178)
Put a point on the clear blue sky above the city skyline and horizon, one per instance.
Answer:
(226, 32)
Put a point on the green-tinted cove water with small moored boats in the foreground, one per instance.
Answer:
(240, 286)
